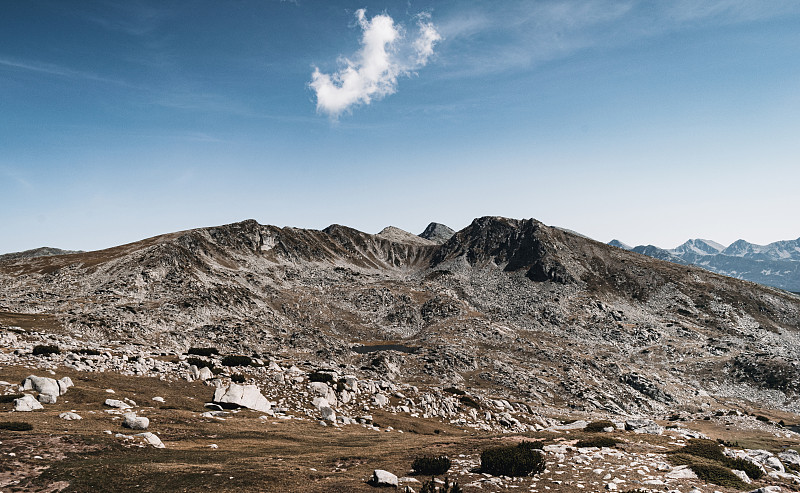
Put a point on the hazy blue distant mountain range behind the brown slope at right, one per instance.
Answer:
(776, 264)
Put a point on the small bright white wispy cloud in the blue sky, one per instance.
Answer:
(385, 55)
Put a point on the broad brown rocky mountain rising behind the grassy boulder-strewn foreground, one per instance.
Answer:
(510, 307)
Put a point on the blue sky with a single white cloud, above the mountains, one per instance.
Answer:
(648, 122)
